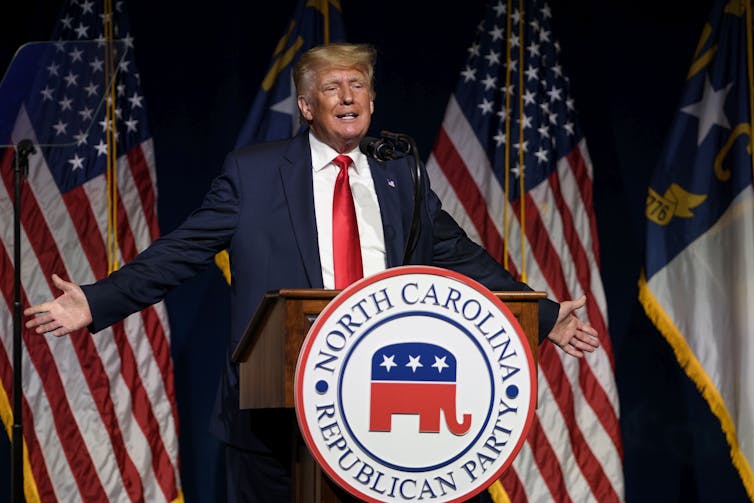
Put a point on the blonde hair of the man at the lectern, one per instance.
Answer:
(359, 56)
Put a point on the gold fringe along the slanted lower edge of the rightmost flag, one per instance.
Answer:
(694, 370)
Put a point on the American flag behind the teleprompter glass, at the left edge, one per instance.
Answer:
(100, 419)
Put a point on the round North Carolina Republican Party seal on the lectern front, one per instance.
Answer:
(416, 383)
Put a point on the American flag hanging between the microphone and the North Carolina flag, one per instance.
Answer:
(511, 165)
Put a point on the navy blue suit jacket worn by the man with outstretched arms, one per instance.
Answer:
(261, 209)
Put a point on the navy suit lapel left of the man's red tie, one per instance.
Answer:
(296, 175)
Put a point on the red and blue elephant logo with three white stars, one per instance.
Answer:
(415, 378)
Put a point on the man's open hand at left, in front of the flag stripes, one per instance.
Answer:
(65, 314)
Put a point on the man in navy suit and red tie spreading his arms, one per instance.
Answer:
(310, 212)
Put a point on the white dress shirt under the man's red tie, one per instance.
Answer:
(365, 200)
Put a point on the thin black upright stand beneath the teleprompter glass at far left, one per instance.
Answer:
(24, 149)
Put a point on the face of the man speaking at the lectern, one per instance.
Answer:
(341, 107)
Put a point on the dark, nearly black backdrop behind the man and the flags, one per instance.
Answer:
(201, 64)
